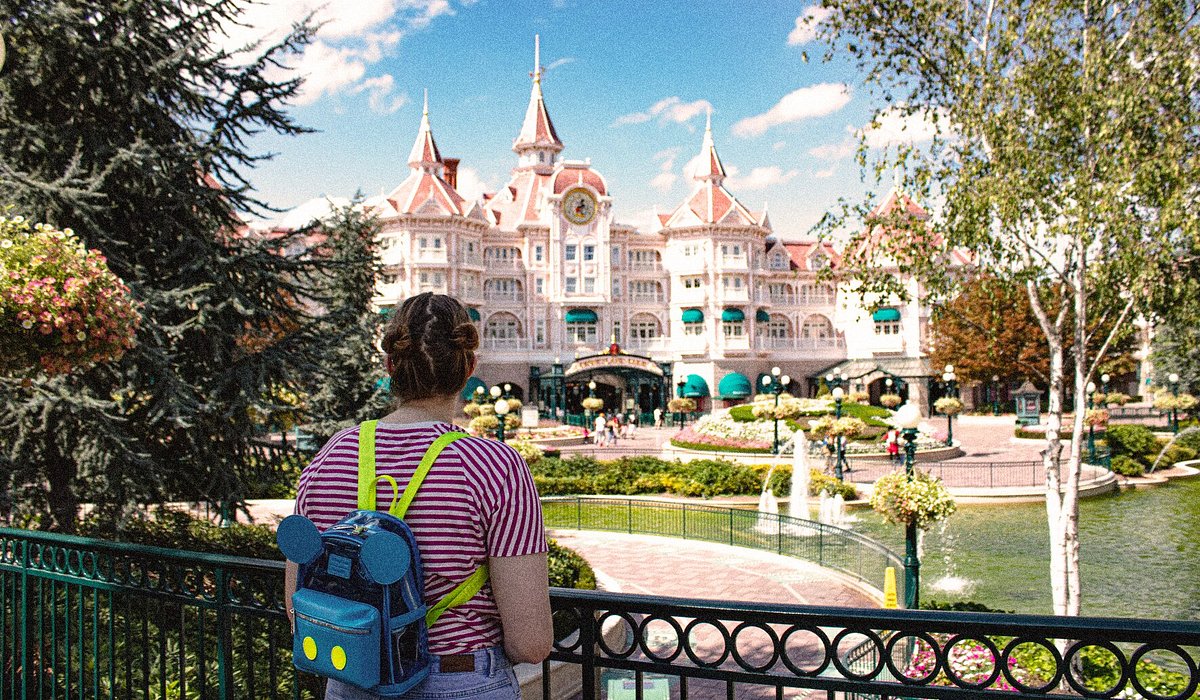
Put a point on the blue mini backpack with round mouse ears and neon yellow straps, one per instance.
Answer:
(361, 615)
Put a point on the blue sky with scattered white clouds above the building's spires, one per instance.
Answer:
(627, 85)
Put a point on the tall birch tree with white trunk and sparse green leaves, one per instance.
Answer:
(1064, 160)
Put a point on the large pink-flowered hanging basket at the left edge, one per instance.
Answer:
(61, 307)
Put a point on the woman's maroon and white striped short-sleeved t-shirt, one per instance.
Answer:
(478, 501)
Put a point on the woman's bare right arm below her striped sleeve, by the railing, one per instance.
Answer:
(521, 587)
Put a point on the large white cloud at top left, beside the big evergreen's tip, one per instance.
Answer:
(352, 37)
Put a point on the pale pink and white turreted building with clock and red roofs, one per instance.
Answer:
(711, 289)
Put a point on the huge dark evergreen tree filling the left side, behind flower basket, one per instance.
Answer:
(128, 123)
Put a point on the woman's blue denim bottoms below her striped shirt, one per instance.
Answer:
(493, 680)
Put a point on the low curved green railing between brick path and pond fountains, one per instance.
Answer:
(825, 546)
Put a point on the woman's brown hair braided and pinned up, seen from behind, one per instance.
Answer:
(430, 343)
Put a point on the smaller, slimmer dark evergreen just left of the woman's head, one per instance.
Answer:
(350, 390)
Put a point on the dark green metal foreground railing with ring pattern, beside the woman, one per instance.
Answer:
(91, 619)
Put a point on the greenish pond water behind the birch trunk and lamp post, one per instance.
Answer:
(1139, 551)
